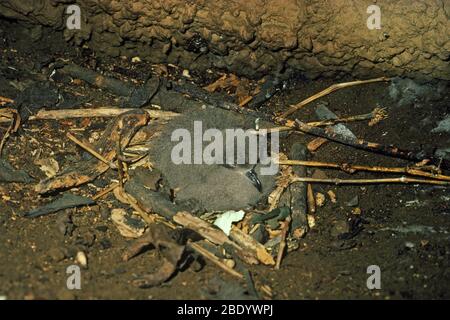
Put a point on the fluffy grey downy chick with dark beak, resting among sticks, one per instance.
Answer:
(214, 186)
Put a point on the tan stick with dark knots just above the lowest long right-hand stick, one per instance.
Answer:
(349, 168)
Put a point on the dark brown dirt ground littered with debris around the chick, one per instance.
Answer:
(406, 227)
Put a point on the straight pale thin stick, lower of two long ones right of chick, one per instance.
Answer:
(370, 181)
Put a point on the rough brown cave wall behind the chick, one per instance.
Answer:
(254, 37)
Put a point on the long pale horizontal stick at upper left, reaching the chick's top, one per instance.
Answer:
(94, 113)
